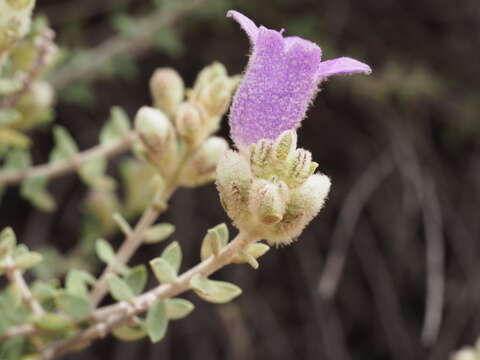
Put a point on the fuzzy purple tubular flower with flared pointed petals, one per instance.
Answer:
(281, 79)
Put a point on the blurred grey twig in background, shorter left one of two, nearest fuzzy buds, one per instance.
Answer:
(356, 200)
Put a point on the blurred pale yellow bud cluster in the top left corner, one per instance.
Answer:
(15, 20)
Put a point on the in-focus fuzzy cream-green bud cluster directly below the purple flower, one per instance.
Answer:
(272, 189)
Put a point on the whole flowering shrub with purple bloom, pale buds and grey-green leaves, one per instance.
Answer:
(269, 188)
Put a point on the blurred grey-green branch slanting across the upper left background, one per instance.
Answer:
(132, 44)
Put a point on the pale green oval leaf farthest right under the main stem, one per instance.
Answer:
(218, 292)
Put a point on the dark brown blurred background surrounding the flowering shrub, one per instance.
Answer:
(389, 270)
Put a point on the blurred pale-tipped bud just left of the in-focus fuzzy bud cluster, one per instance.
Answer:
(201, 168)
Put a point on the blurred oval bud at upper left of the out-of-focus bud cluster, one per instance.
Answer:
(168, 90)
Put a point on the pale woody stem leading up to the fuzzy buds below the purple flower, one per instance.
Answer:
(121, 313)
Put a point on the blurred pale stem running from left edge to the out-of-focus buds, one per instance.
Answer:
(60, 168)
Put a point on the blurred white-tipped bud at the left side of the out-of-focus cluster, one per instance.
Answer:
(158, 137)
